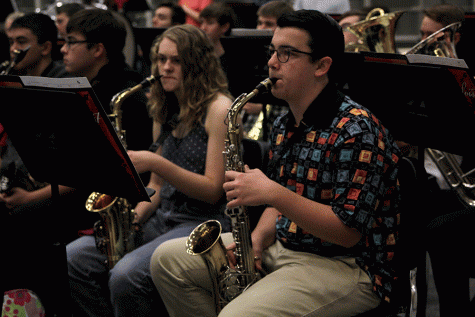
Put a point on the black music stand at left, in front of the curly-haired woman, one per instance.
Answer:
(64, 137)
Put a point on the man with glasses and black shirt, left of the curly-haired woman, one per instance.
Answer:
(94, 49)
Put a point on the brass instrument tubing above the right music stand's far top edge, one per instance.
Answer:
(440, 43)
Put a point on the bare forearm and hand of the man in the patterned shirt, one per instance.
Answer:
(254, 188)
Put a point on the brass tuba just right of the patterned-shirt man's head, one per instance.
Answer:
(376, 33)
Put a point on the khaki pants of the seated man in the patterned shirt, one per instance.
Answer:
(299, 284)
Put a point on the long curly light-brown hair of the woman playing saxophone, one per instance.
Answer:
(203, 78)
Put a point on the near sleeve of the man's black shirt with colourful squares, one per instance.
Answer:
(365, 179)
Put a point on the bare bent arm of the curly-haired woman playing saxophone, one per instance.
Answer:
(207, 187)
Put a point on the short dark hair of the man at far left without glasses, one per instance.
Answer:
(41, 25)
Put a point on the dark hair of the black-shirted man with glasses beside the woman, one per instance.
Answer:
(100, 26)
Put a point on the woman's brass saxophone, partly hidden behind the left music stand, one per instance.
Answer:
(115, 232)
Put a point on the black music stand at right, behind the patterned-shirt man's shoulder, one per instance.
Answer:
(423, 100)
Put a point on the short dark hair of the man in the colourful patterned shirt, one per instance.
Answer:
(326, 35)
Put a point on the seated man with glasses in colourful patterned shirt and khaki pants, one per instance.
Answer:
(326, 239)
